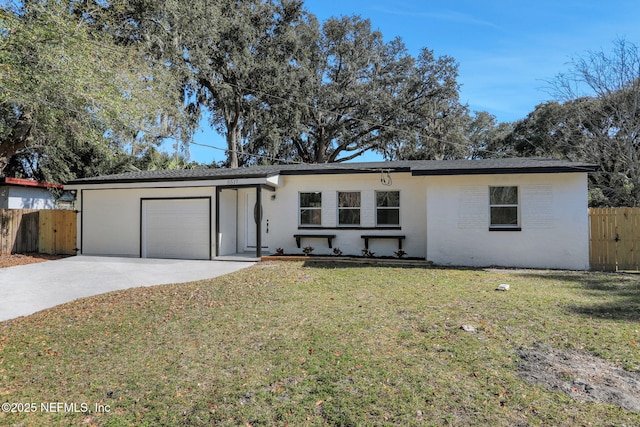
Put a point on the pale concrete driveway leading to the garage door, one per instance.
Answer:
(27, 289)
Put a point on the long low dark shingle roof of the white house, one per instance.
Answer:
(416, 167)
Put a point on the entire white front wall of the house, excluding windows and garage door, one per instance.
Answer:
(444, 218)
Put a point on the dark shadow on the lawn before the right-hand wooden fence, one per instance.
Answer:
(617, 295)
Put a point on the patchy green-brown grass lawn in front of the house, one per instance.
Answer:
(321, 345)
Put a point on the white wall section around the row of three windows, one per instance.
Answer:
(284, 214)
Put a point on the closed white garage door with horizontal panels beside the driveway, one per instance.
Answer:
(176, 228)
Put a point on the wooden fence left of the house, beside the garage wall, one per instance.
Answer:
(42, 231)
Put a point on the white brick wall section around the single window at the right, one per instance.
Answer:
(553, 218)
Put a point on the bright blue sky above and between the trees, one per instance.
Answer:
(505, 49)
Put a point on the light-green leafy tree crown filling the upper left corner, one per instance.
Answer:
(68, 91)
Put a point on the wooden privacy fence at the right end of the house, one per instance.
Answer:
(614, 239)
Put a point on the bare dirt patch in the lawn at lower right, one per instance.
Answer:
(581, 376)
